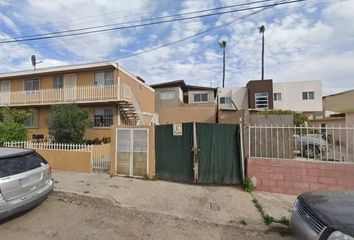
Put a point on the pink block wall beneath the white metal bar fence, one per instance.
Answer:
(297, 176)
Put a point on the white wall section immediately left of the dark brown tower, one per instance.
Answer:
(238, 95)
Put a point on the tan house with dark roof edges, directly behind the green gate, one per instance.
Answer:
(177, 102)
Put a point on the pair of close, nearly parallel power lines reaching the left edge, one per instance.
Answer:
(144, 24)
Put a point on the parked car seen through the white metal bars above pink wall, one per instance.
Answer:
(310, 145)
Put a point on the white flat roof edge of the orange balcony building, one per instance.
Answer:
(58, 69)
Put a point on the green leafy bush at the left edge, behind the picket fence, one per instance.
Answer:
(12, 124)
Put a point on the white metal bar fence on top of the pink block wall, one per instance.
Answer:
(289, 142)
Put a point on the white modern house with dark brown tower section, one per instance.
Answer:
(304, 96)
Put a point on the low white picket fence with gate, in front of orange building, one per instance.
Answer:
(100, 154)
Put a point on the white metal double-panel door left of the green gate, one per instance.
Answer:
(132, 151)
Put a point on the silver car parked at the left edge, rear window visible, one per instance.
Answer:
(25, 180)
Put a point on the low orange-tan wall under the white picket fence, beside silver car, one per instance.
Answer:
(67, 160)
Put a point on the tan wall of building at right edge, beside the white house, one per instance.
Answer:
(339, 103)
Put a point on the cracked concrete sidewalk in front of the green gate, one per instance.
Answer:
(213, 204)
